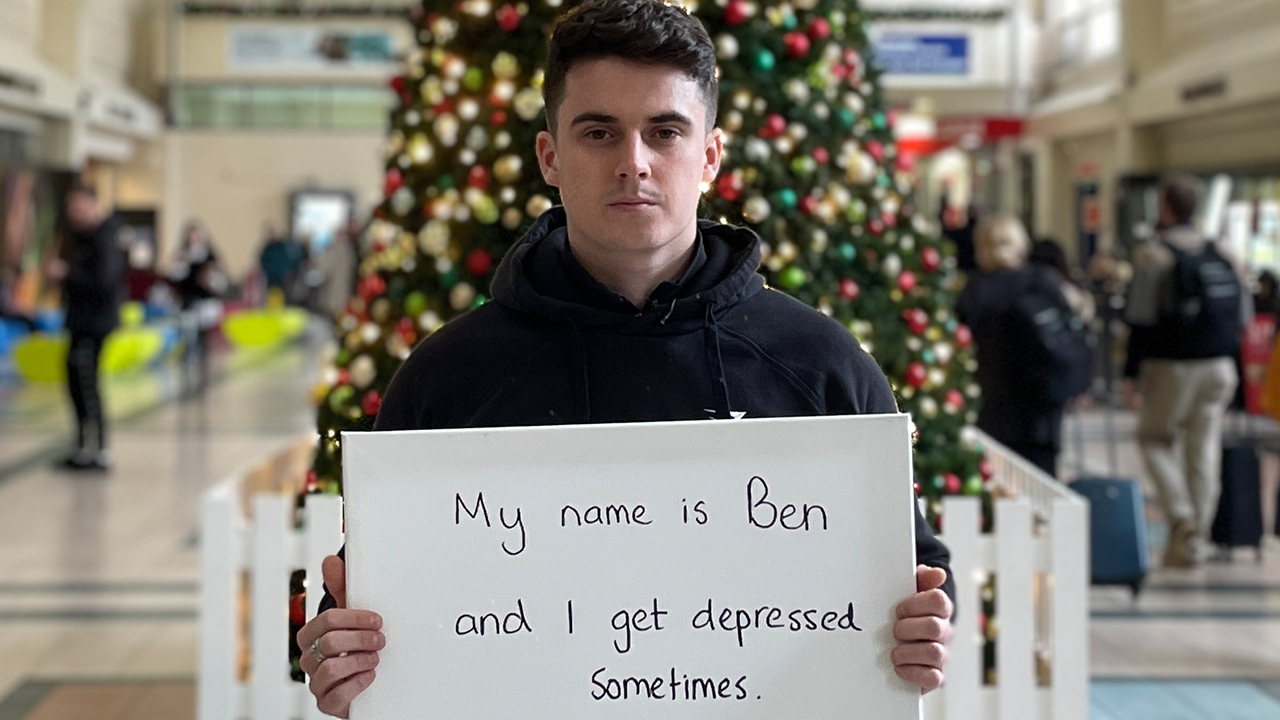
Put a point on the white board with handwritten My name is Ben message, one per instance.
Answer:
(744, 569)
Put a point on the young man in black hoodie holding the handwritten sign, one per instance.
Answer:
(621, 307)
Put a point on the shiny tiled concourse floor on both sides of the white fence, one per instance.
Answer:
(98, 576)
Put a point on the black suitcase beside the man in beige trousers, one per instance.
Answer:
(1238, 522)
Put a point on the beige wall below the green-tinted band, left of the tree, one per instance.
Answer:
(237, 181)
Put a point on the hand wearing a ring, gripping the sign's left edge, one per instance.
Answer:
(348, 642)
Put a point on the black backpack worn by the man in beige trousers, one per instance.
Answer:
(1205, 320)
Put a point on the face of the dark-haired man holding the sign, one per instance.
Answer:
(630, 152)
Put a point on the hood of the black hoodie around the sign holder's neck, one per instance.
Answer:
(541, 276)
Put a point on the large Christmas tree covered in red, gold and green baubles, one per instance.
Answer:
(811, 165)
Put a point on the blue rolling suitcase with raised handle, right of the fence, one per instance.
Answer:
(1119, 553)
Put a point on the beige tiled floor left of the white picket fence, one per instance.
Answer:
(99, 575)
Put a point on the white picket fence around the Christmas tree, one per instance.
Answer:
(1039, 554)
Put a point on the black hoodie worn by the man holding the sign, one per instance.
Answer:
(556, 347)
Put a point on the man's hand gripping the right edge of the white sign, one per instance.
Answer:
(924, 631)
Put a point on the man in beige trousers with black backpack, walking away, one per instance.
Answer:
(1187, 312)
